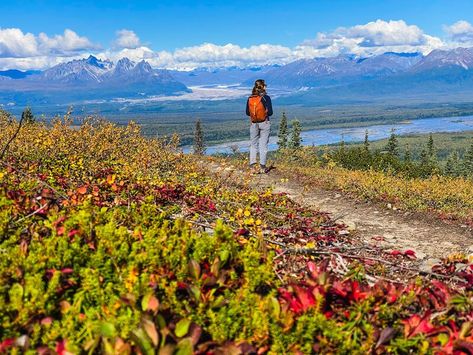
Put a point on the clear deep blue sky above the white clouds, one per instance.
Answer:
(173, 24)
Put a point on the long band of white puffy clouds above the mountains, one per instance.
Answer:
(29, 51)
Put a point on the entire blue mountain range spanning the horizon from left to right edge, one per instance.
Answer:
(345, 78)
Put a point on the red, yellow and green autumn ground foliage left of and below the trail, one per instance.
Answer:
(114, 243)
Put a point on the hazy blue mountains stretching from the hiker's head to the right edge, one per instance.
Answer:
(442, 74)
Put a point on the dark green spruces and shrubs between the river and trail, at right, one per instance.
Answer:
(390, 160)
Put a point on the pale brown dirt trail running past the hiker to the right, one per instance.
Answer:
(428, 236)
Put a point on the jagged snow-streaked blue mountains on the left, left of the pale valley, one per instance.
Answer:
(90, 79)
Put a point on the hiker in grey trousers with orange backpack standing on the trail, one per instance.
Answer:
(259, 108)
